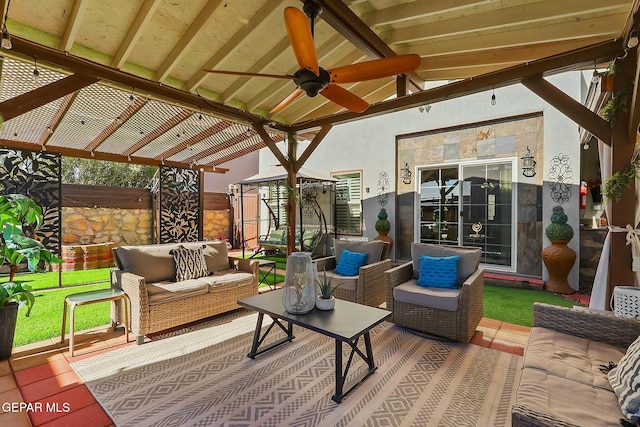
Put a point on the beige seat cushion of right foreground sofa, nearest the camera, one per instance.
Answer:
(570, 401)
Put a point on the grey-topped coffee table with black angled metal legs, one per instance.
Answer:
(346, 324)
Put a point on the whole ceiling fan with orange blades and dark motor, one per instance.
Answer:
(313, 79)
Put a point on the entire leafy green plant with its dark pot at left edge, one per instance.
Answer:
(19, 215)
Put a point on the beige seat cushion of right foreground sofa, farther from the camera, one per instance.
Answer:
(570, 357)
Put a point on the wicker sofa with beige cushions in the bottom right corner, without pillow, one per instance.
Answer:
(560, 383)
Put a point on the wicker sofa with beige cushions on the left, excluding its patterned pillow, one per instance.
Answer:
(147, 274)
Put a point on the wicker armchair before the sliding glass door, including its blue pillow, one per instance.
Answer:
(418, 300)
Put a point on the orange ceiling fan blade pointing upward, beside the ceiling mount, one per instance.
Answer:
(301, 39)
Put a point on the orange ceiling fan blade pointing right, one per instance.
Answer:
(375, 69)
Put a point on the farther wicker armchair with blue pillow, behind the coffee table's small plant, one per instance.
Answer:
(367, 285)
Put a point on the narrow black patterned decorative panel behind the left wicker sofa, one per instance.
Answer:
(179, 205)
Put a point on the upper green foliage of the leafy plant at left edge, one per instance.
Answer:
(20, 215)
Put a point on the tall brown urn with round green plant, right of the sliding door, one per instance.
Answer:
(559, 258)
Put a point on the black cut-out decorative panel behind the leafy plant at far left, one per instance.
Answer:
(36, 174)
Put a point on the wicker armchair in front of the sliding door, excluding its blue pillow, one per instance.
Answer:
(456, 318)
